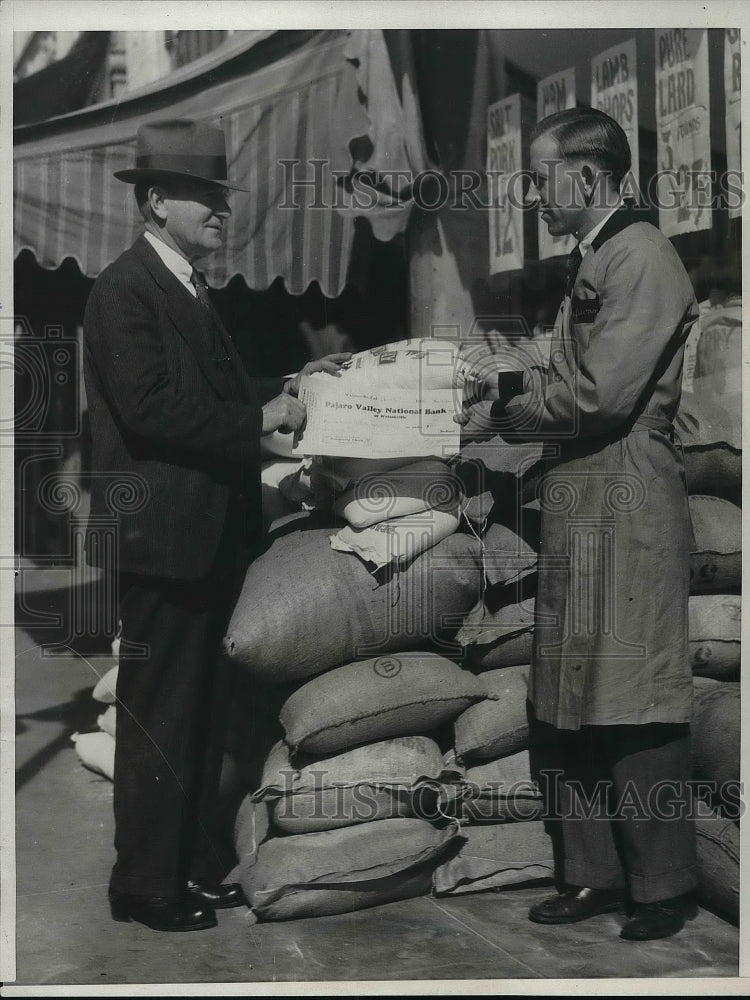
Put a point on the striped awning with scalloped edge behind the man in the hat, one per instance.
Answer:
(287, 121)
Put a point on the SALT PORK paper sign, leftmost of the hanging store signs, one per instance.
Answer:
(503, 164)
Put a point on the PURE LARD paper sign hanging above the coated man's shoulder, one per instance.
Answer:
(683, 141)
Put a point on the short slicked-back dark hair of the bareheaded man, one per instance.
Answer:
(587, 133)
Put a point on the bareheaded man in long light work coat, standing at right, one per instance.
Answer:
(610, 684)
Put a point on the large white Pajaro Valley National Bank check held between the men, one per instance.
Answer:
(392, 402)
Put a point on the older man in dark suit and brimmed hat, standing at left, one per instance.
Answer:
(172, 408)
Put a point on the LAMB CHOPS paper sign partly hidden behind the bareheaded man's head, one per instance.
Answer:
(614, 90)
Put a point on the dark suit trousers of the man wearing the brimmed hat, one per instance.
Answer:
(174, 689)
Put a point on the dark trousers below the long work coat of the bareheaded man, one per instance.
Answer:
(620, 804)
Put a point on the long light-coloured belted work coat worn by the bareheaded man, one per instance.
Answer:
(611, 629)
